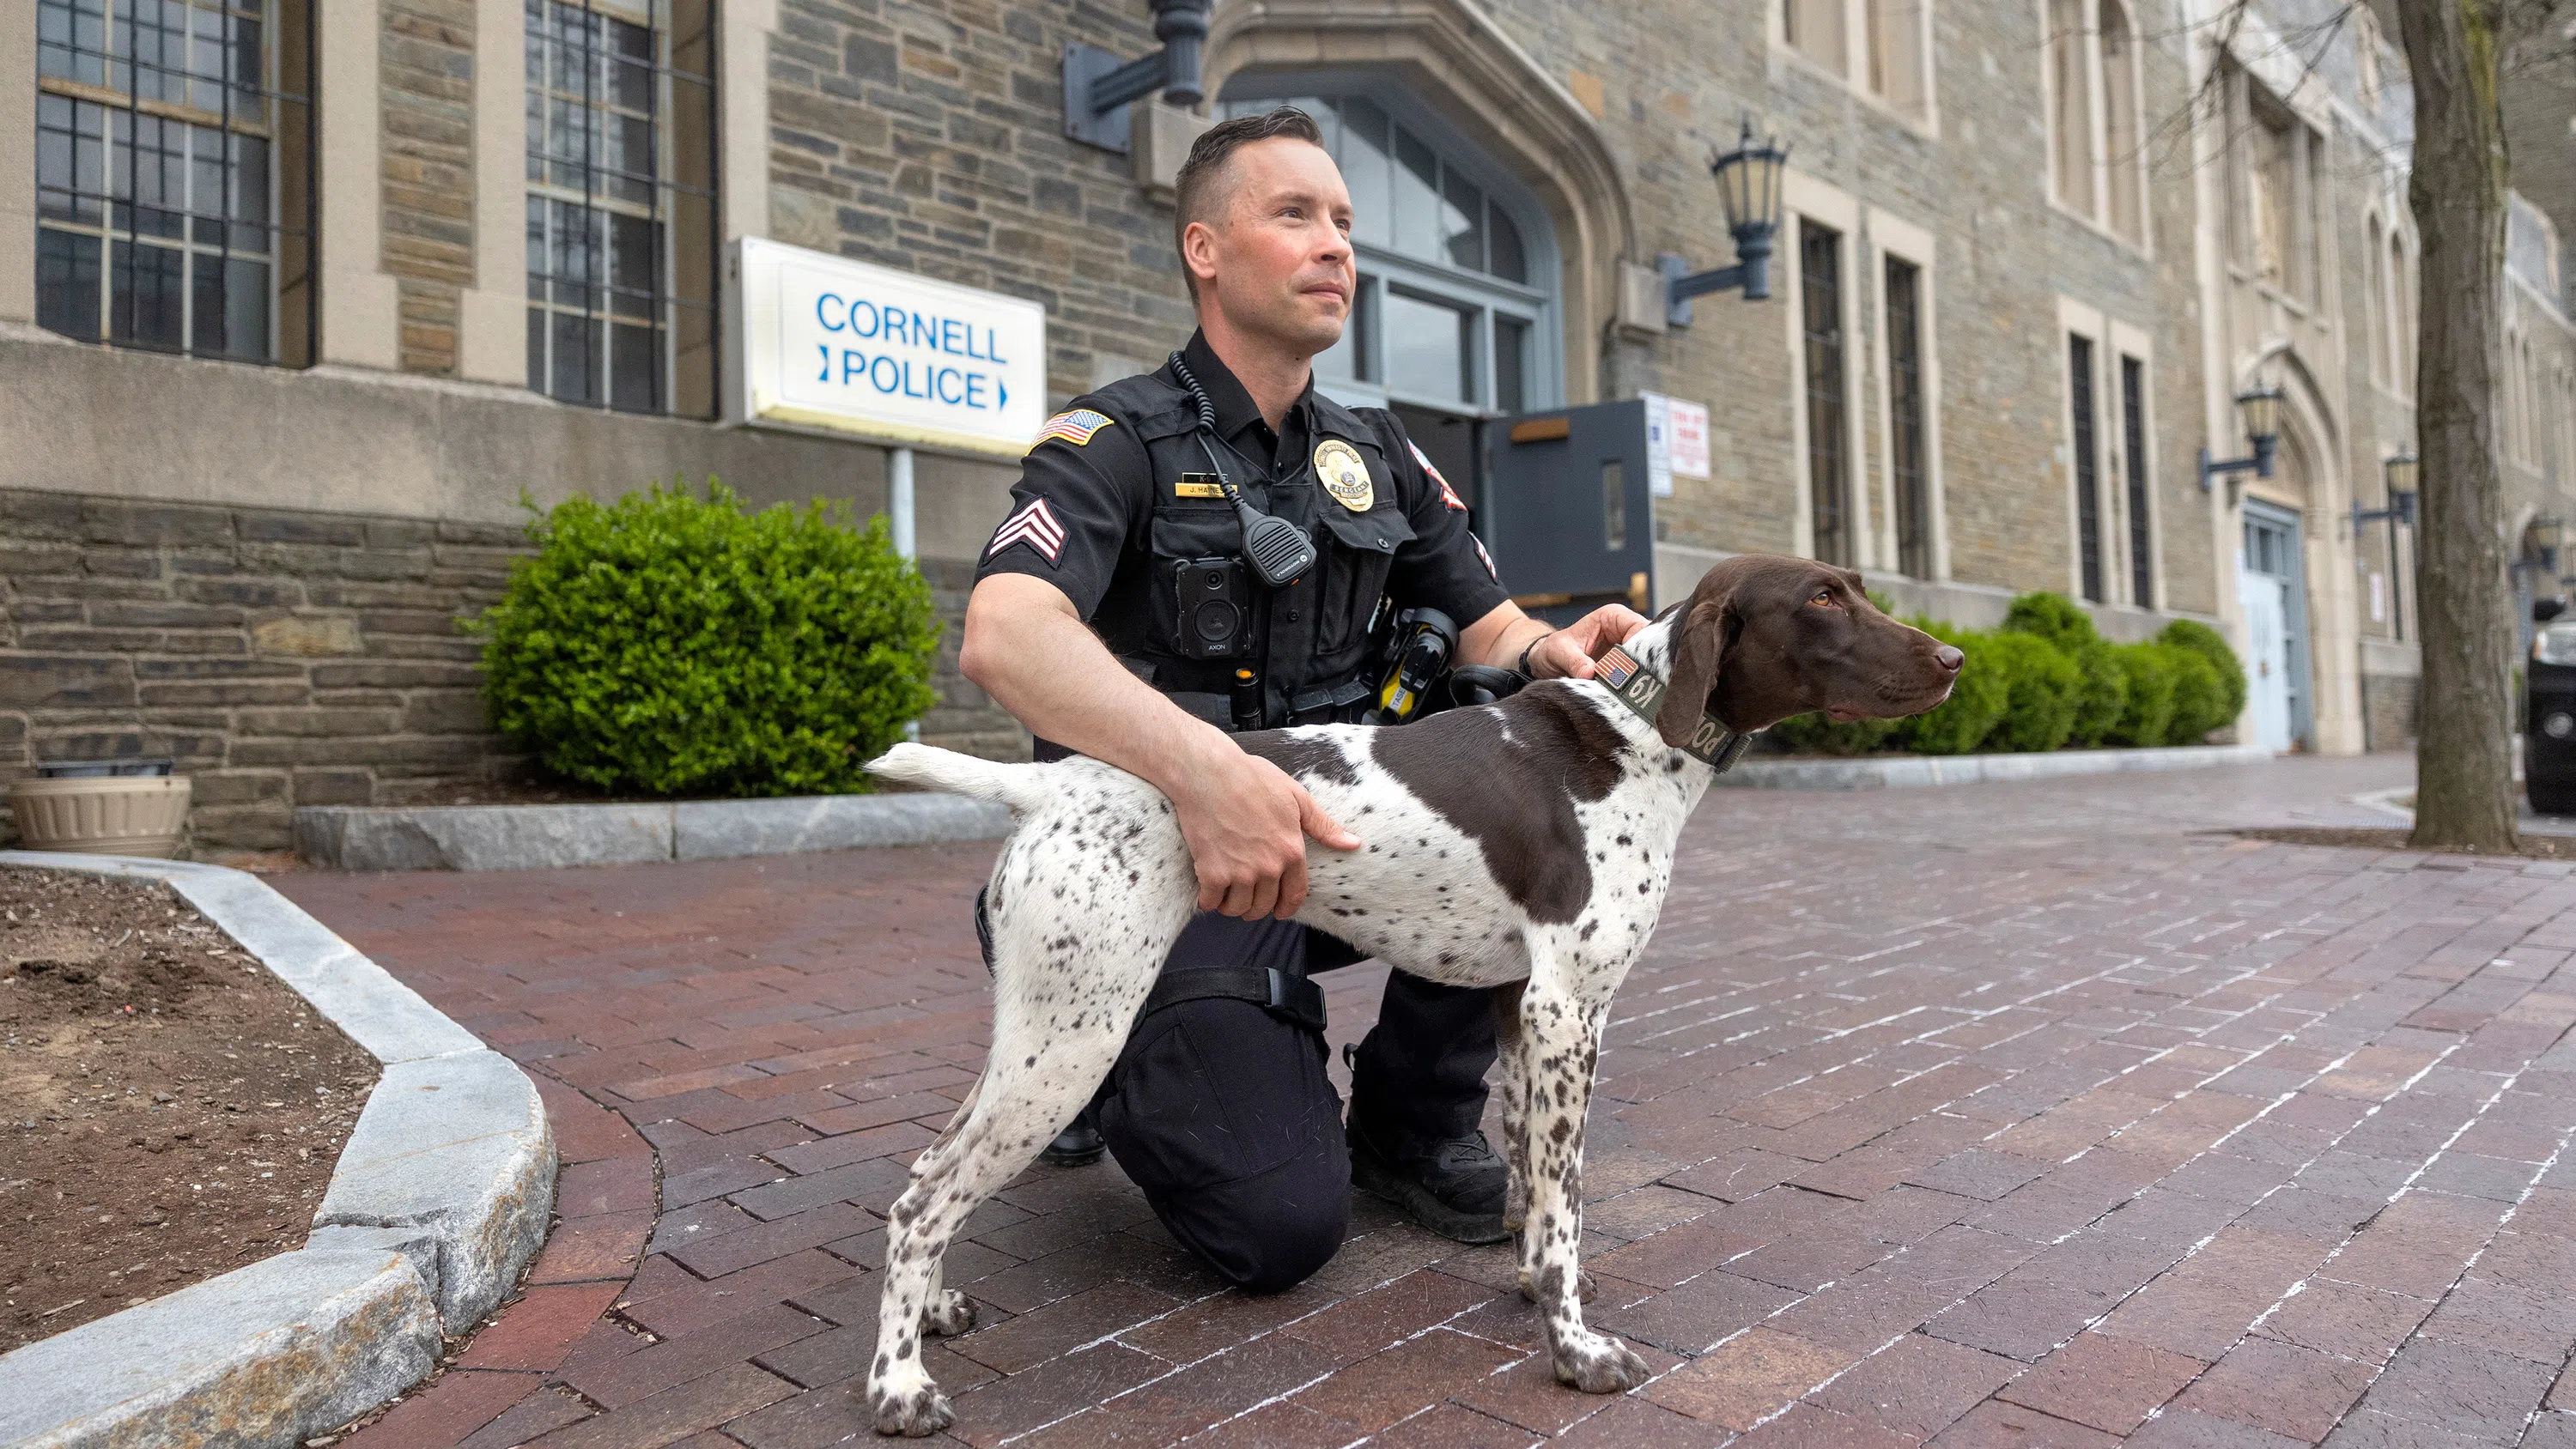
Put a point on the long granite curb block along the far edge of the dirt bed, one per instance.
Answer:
(359, 997)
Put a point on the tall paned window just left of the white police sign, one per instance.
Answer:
(622, 205)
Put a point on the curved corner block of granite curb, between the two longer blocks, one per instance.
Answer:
(455, 1147)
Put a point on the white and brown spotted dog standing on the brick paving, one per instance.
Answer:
(1513, 845)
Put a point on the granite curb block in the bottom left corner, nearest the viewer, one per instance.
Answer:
(261, 1355)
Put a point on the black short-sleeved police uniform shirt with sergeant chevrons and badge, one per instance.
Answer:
(1091, 519)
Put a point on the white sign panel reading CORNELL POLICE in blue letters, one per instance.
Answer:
(885, 354)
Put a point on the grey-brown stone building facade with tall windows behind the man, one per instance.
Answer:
(2031, 254)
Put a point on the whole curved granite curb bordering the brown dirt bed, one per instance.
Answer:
(434, 1208)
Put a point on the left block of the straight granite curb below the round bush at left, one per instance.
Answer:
(483, 838)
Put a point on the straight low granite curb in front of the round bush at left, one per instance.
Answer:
(547, 838)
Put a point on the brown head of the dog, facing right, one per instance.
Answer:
(1766, 640)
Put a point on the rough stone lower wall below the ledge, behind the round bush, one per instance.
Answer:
(287, 658)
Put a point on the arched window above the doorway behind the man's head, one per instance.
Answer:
(1457, 261)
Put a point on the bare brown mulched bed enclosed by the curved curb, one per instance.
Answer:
(169, 1108)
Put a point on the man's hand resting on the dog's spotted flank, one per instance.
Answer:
(1248, 827)
